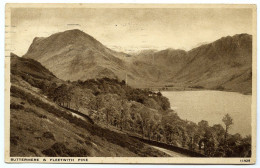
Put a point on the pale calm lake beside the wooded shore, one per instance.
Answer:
(212, 106)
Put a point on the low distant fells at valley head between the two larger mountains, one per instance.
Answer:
(157, 66)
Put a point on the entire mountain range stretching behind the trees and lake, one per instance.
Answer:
(225, 64)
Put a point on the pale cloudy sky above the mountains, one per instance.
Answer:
(131, 29)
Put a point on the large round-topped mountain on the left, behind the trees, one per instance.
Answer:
(73, 55)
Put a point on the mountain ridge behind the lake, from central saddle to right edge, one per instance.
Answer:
(225, 64)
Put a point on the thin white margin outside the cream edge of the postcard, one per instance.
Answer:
(2, 23)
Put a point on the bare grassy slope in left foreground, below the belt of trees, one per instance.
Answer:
(39, 127)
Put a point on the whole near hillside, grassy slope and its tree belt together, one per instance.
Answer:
(102, 117)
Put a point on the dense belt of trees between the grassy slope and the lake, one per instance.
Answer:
(146, 113)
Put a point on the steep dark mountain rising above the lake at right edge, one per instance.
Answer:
(225, 64)
